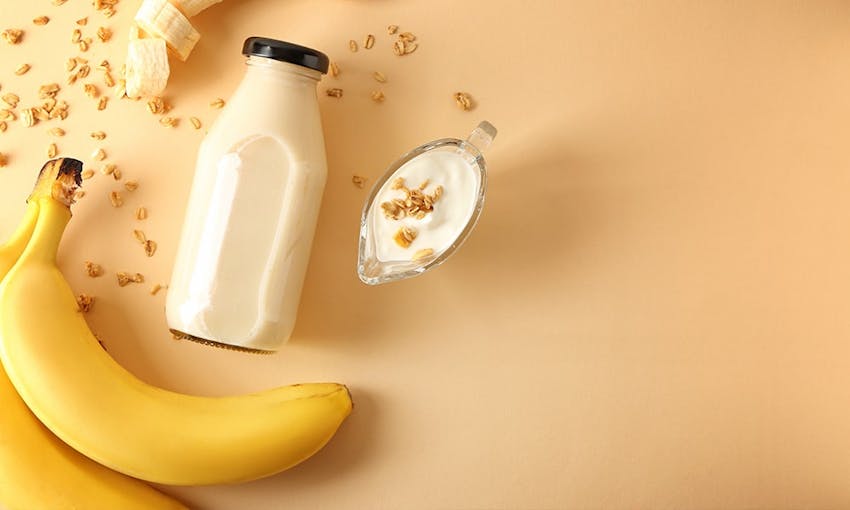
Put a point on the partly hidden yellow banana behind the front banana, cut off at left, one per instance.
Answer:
(37, 470)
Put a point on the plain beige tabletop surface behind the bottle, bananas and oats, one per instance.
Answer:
(654, 311)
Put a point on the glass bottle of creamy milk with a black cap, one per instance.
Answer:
(253, 206)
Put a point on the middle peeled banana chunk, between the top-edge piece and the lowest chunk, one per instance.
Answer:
(161, 19)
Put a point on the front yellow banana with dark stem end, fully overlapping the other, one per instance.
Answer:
(81, 394)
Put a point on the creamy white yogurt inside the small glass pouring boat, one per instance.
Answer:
(440, 228)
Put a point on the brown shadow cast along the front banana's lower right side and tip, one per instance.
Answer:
(349, 449)
